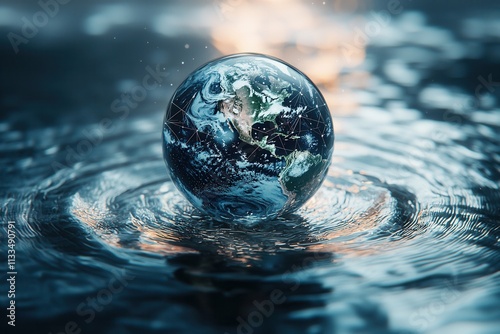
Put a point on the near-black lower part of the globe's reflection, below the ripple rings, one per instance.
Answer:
(260, 297)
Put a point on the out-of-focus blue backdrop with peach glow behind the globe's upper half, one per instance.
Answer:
(329, 38)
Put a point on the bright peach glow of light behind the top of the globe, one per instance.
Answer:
(306, 35)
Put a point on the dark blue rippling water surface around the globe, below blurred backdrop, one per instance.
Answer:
(403, 236)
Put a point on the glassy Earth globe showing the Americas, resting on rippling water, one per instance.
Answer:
(247, 137)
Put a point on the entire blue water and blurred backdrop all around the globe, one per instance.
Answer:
(403, 237)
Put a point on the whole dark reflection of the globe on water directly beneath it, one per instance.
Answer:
(250, 279)
